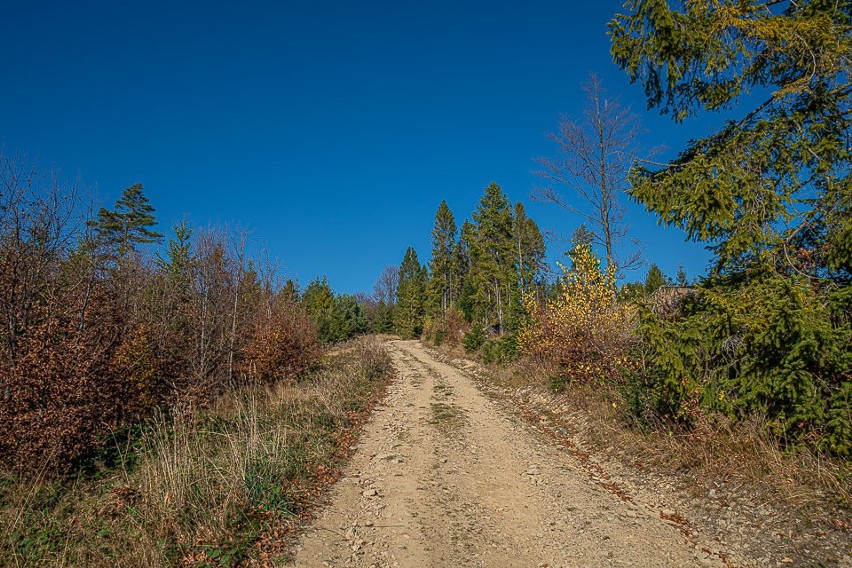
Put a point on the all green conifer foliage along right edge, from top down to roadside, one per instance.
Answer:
(770, 192)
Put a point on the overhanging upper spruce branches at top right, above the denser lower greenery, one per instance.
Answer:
(773, 187)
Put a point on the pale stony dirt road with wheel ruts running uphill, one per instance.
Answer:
(443, 476)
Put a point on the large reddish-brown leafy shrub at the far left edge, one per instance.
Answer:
(70, 383)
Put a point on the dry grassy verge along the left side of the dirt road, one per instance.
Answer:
(220, 487)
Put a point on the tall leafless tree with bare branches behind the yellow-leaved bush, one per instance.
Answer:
(595, 154)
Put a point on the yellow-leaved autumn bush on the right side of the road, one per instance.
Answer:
(582, 332)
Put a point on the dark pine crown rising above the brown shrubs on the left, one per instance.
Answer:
(129, 224)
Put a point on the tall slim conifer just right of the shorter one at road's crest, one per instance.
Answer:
(442, 284)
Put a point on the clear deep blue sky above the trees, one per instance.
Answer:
(332, 130)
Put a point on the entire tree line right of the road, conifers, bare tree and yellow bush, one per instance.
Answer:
(767, 331)
